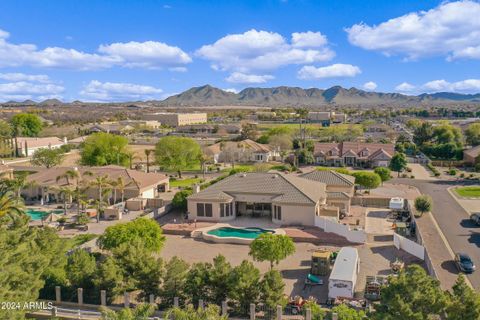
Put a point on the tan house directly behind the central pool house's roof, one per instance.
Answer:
(241, 151)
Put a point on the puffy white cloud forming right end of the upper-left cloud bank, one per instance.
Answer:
(149, 54)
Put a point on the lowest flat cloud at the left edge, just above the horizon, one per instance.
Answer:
(23, 90)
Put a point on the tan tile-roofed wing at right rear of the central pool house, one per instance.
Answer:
(340, 187)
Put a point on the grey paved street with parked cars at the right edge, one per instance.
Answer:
(453, 220)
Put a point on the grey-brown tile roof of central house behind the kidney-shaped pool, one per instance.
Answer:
(283, 188)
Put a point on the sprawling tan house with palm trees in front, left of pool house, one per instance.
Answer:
(43, 184)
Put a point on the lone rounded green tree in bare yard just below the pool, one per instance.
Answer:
(271, 248)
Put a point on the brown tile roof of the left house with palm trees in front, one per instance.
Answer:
(137, 180)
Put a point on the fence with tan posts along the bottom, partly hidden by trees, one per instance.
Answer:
(251, 311)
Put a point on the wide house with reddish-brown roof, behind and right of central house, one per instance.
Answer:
(355, 154)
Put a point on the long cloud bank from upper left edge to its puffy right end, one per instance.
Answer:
(149, 54)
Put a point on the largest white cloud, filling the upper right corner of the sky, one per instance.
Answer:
(451, 29)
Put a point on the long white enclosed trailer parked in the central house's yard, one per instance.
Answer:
(344, 273)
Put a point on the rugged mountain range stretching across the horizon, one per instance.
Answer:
(291, 97)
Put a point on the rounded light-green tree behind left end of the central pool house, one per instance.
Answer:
(177, 153)
